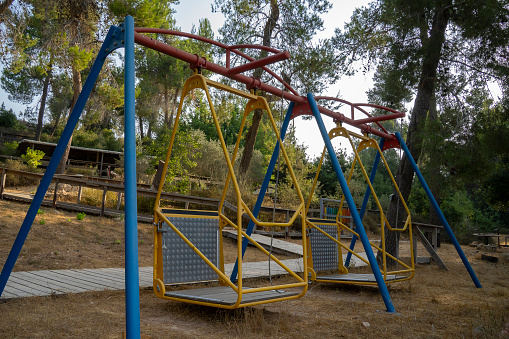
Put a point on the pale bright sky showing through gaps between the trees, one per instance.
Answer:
(353, 89)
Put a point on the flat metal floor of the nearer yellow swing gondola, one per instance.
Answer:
(224, 295)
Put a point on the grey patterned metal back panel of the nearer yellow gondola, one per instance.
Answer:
(180, 262)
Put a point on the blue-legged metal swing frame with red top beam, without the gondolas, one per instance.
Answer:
(125, 36)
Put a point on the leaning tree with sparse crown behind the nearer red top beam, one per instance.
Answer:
(274, 23)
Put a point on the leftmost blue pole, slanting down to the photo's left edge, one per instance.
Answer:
(111, 42)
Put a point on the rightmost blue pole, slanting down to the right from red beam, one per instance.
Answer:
(438, 211)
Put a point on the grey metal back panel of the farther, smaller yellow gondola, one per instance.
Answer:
(324, 250)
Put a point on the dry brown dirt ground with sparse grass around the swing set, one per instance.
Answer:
(435, 304)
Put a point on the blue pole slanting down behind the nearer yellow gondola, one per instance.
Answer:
(263, 189)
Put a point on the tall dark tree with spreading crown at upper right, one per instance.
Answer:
(432, 49)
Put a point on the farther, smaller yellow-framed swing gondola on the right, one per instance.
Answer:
(325, 247)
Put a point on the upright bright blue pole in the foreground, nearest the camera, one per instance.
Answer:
(132, 281)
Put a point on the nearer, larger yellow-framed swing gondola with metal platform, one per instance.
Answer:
(188, 243)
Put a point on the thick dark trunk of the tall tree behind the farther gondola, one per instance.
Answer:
(432, 47)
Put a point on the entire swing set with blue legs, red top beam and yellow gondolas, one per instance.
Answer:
(188, 244)
